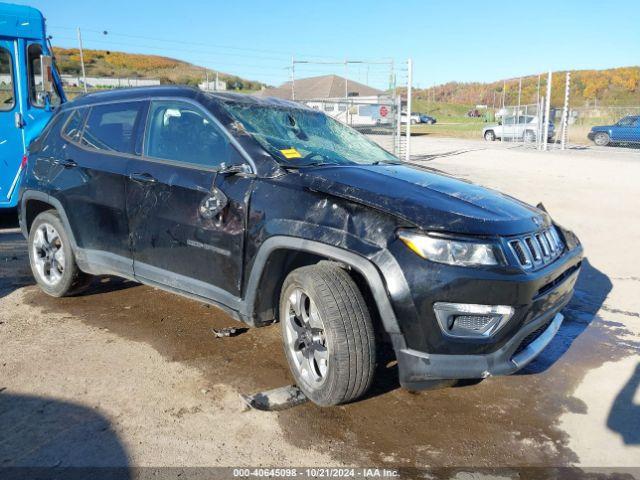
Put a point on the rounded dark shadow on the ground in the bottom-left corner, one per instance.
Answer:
(44, 433)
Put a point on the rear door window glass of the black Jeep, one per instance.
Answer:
(112, 127)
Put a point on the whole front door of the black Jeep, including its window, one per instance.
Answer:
(178, 236)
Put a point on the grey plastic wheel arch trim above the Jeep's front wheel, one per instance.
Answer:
(279, 255)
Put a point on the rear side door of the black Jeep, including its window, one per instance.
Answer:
(91, 176)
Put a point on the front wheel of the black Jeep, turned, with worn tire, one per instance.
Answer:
(327, 334)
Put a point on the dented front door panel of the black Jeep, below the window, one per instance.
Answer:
(172, 232)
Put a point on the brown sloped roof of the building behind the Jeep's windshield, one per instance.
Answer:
(325, 86)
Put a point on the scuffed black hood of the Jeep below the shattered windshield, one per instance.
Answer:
(429, 200)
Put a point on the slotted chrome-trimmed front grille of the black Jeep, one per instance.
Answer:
(537, 250)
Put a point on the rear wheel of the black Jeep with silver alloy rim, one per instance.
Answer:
(51, 257)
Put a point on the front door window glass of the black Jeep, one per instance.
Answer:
(181, 132)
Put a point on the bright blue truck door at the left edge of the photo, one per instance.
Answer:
(12, 146)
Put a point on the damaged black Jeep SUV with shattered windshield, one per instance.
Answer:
(273, 211)
